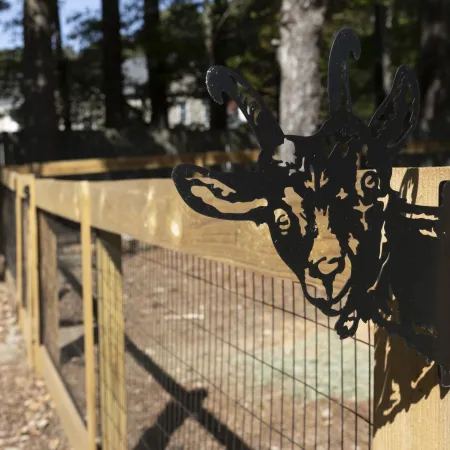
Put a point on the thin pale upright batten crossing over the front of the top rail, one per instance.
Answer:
(88, 307)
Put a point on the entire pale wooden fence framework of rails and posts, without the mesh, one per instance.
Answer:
(152, 212)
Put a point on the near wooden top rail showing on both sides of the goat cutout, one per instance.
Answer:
(152, 211)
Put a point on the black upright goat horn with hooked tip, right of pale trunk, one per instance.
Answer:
(344, 43)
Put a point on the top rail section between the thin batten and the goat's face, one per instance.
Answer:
(152, 211)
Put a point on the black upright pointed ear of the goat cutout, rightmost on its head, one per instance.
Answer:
(396, 117)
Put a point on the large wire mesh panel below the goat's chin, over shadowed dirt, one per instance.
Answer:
(219, 357)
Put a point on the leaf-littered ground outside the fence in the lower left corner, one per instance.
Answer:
(27, 416)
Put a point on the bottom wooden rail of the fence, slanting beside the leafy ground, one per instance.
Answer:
(67, 412)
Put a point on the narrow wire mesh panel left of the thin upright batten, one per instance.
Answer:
(62, 321)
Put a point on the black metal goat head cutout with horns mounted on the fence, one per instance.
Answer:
(376, 241)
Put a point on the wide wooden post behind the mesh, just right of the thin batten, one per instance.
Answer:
(111, 342)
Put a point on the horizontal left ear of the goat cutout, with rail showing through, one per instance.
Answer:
(221, 195)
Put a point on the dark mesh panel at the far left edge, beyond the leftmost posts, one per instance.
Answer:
(9, 229)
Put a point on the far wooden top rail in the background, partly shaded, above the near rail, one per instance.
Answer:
(96, 166)
